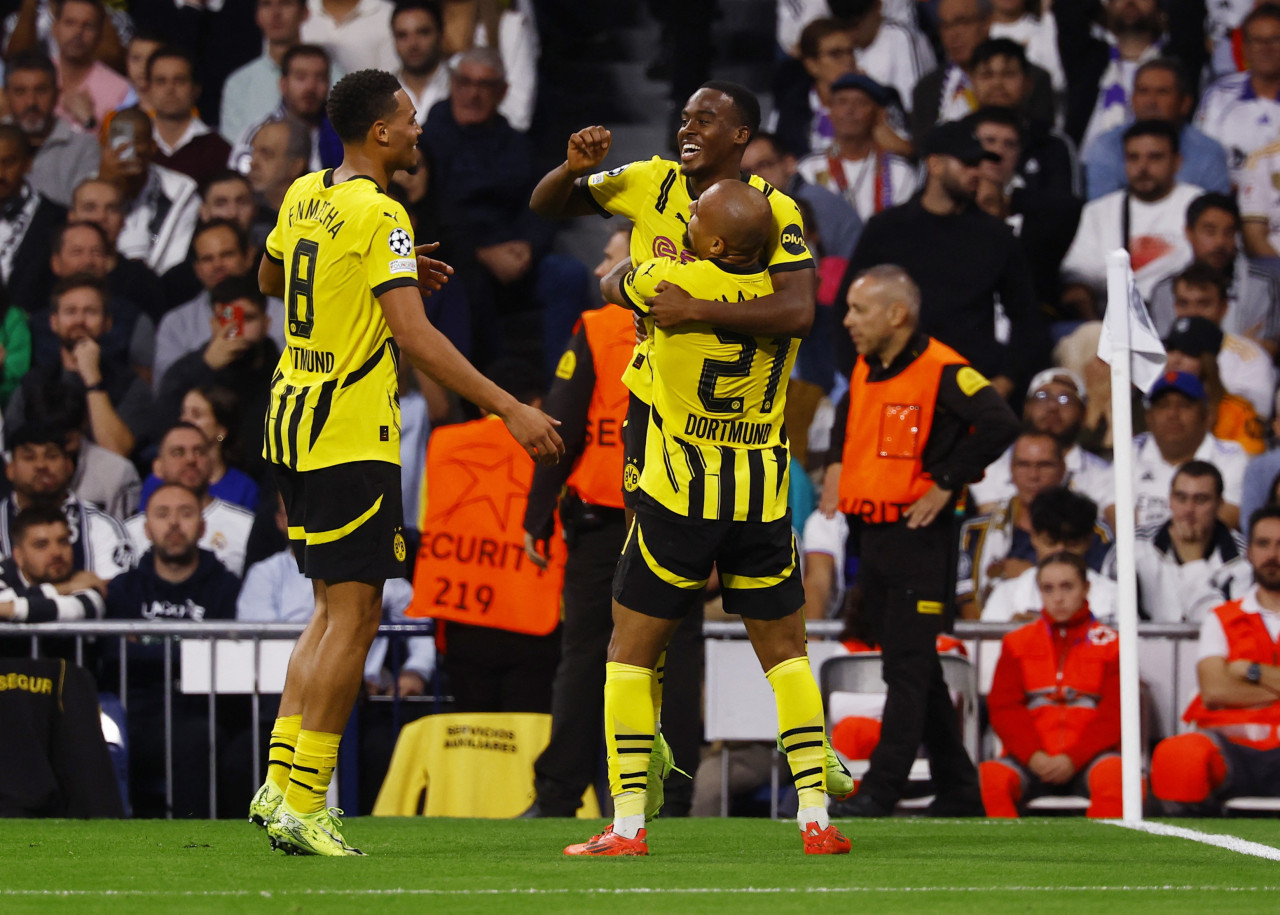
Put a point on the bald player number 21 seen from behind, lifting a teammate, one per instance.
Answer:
(714, 493)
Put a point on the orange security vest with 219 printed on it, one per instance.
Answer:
(472, 564)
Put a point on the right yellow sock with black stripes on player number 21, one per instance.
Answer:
(802, 729)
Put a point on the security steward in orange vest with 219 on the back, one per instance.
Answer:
(499, 612)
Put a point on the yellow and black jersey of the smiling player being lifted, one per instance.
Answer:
(656, 198)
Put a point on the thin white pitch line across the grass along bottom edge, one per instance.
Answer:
(632, 891)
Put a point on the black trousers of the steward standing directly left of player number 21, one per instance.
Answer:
(573, 758)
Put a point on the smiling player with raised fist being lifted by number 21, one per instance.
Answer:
(657, 196)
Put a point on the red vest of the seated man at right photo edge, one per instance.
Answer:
(1247, 639)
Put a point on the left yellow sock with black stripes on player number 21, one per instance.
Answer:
(629, 729)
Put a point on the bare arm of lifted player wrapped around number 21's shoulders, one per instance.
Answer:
(788, 312)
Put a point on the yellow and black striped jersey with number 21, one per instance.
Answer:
(717, 445)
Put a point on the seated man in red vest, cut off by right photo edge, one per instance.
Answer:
(1236, 748)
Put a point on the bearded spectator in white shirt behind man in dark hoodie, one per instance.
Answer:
(184, 460)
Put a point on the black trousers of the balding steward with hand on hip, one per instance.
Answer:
(908, 580)
